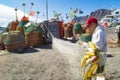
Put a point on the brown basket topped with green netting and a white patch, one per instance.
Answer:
(33, 34)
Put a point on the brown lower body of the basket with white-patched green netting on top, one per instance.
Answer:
(34, 39)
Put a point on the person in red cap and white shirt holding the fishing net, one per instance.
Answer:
(99, 39)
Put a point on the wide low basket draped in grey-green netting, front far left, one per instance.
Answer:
(13, 40)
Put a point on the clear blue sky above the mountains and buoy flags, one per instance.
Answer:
(62, 6)
